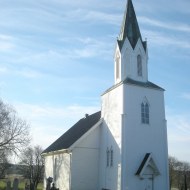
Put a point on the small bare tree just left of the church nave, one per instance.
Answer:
(33, 165)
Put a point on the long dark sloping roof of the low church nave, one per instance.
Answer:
(74, 133)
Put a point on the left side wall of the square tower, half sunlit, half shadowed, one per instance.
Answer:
(109, 177)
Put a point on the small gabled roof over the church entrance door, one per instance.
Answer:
(147, 162)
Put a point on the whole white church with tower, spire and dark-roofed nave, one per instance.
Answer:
(123, 146)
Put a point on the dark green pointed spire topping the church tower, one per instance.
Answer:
(129, 28)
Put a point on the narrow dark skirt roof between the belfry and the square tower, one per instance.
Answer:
(137, 83)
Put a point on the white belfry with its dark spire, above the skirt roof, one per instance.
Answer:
(132, 50)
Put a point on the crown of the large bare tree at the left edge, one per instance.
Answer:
(14, 132)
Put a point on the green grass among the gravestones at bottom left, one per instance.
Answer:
(21, 184)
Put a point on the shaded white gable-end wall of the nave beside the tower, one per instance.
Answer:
(85, 162)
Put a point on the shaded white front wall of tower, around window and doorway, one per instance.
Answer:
(142, 138)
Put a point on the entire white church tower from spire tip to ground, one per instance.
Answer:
(133, 110)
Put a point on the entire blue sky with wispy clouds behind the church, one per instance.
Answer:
(56, 59)
